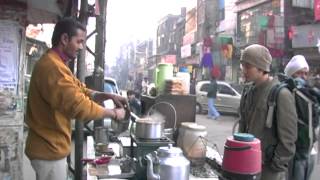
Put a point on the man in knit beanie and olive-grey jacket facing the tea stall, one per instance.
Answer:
(277, 148)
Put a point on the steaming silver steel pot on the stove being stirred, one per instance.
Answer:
(148, 128)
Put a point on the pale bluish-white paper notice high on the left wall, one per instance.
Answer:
(9, 56)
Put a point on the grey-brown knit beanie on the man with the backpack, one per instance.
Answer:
(258, 56)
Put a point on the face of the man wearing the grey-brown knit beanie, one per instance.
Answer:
(250, 72)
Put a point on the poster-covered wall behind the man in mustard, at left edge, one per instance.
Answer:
(12, 42)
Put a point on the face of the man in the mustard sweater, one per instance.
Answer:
(74, 44)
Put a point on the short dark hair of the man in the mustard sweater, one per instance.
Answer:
(66, 25)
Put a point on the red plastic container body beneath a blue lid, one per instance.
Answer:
(242, 157)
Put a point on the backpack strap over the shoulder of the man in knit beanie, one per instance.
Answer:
(272, 102)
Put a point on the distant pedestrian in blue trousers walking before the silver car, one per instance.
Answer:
(212, 95)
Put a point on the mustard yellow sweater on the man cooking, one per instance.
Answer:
(55, 97)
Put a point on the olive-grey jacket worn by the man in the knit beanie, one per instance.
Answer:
(277, 142)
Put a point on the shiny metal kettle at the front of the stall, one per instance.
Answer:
(167, 163)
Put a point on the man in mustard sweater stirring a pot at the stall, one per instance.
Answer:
(55, 97)
